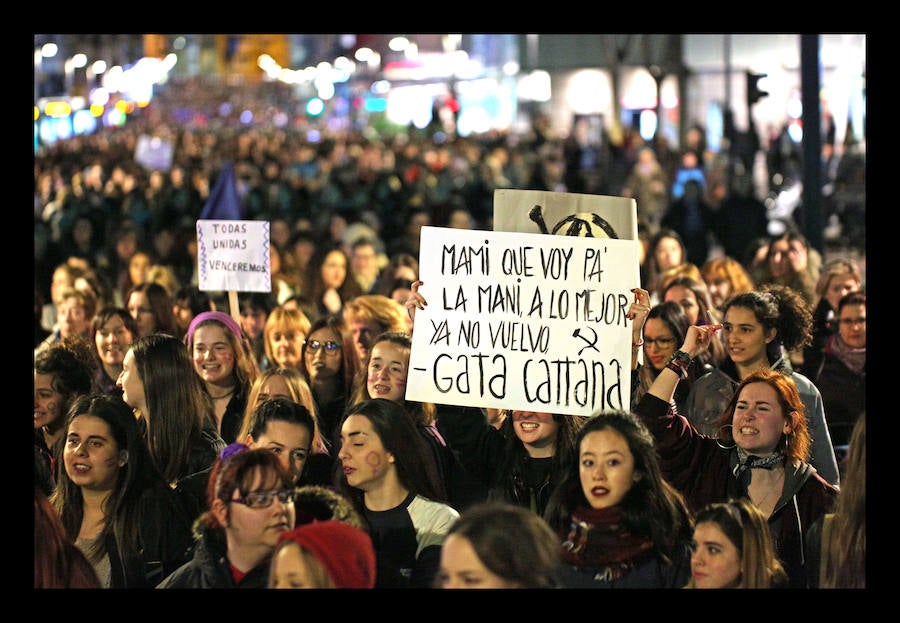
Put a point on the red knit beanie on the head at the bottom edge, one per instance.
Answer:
(345, 551)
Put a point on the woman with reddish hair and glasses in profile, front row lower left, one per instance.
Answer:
(251, 504)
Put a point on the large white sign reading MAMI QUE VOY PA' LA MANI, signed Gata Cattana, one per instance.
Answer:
(524, 321)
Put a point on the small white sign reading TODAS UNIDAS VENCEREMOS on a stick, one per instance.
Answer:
(234, 255)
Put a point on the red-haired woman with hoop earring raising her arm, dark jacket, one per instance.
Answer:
(762, 451)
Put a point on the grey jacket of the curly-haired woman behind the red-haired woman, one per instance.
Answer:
(710, 394)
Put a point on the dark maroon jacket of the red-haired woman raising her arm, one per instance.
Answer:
(703, 471)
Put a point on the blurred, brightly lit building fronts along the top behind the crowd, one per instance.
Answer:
(653, 82)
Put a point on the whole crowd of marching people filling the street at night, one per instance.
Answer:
(180, 443)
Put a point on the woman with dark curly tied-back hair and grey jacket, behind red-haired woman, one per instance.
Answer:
(759, 329)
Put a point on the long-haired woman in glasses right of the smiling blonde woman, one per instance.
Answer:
(331, 364)
